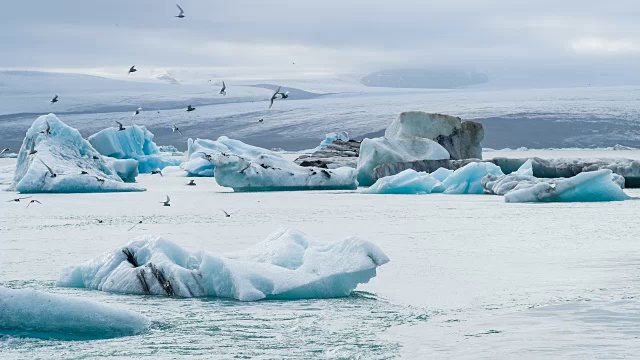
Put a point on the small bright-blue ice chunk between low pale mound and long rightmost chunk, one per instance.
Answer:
(468, 179)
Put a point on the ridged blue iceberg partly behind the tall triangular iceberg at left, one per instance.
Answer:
(134, 142)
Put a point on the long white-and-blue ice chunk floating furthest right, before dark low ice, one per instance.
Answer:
(593, 186)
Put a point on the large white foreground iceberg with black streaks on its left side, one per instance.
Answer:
(285, 266)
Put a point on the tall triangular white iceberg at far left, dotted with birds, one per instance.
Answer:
(75, 166)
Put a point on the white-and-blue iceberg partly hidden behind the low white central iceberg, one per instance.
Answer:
(201, 151)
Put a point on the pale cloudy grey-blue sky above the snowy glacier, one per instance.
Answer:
(561, 37)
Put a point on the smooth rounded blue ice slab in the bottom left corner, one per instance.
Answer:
(31, 313)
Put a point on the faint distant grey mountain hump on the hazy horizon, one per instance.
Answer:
(423, 78)
